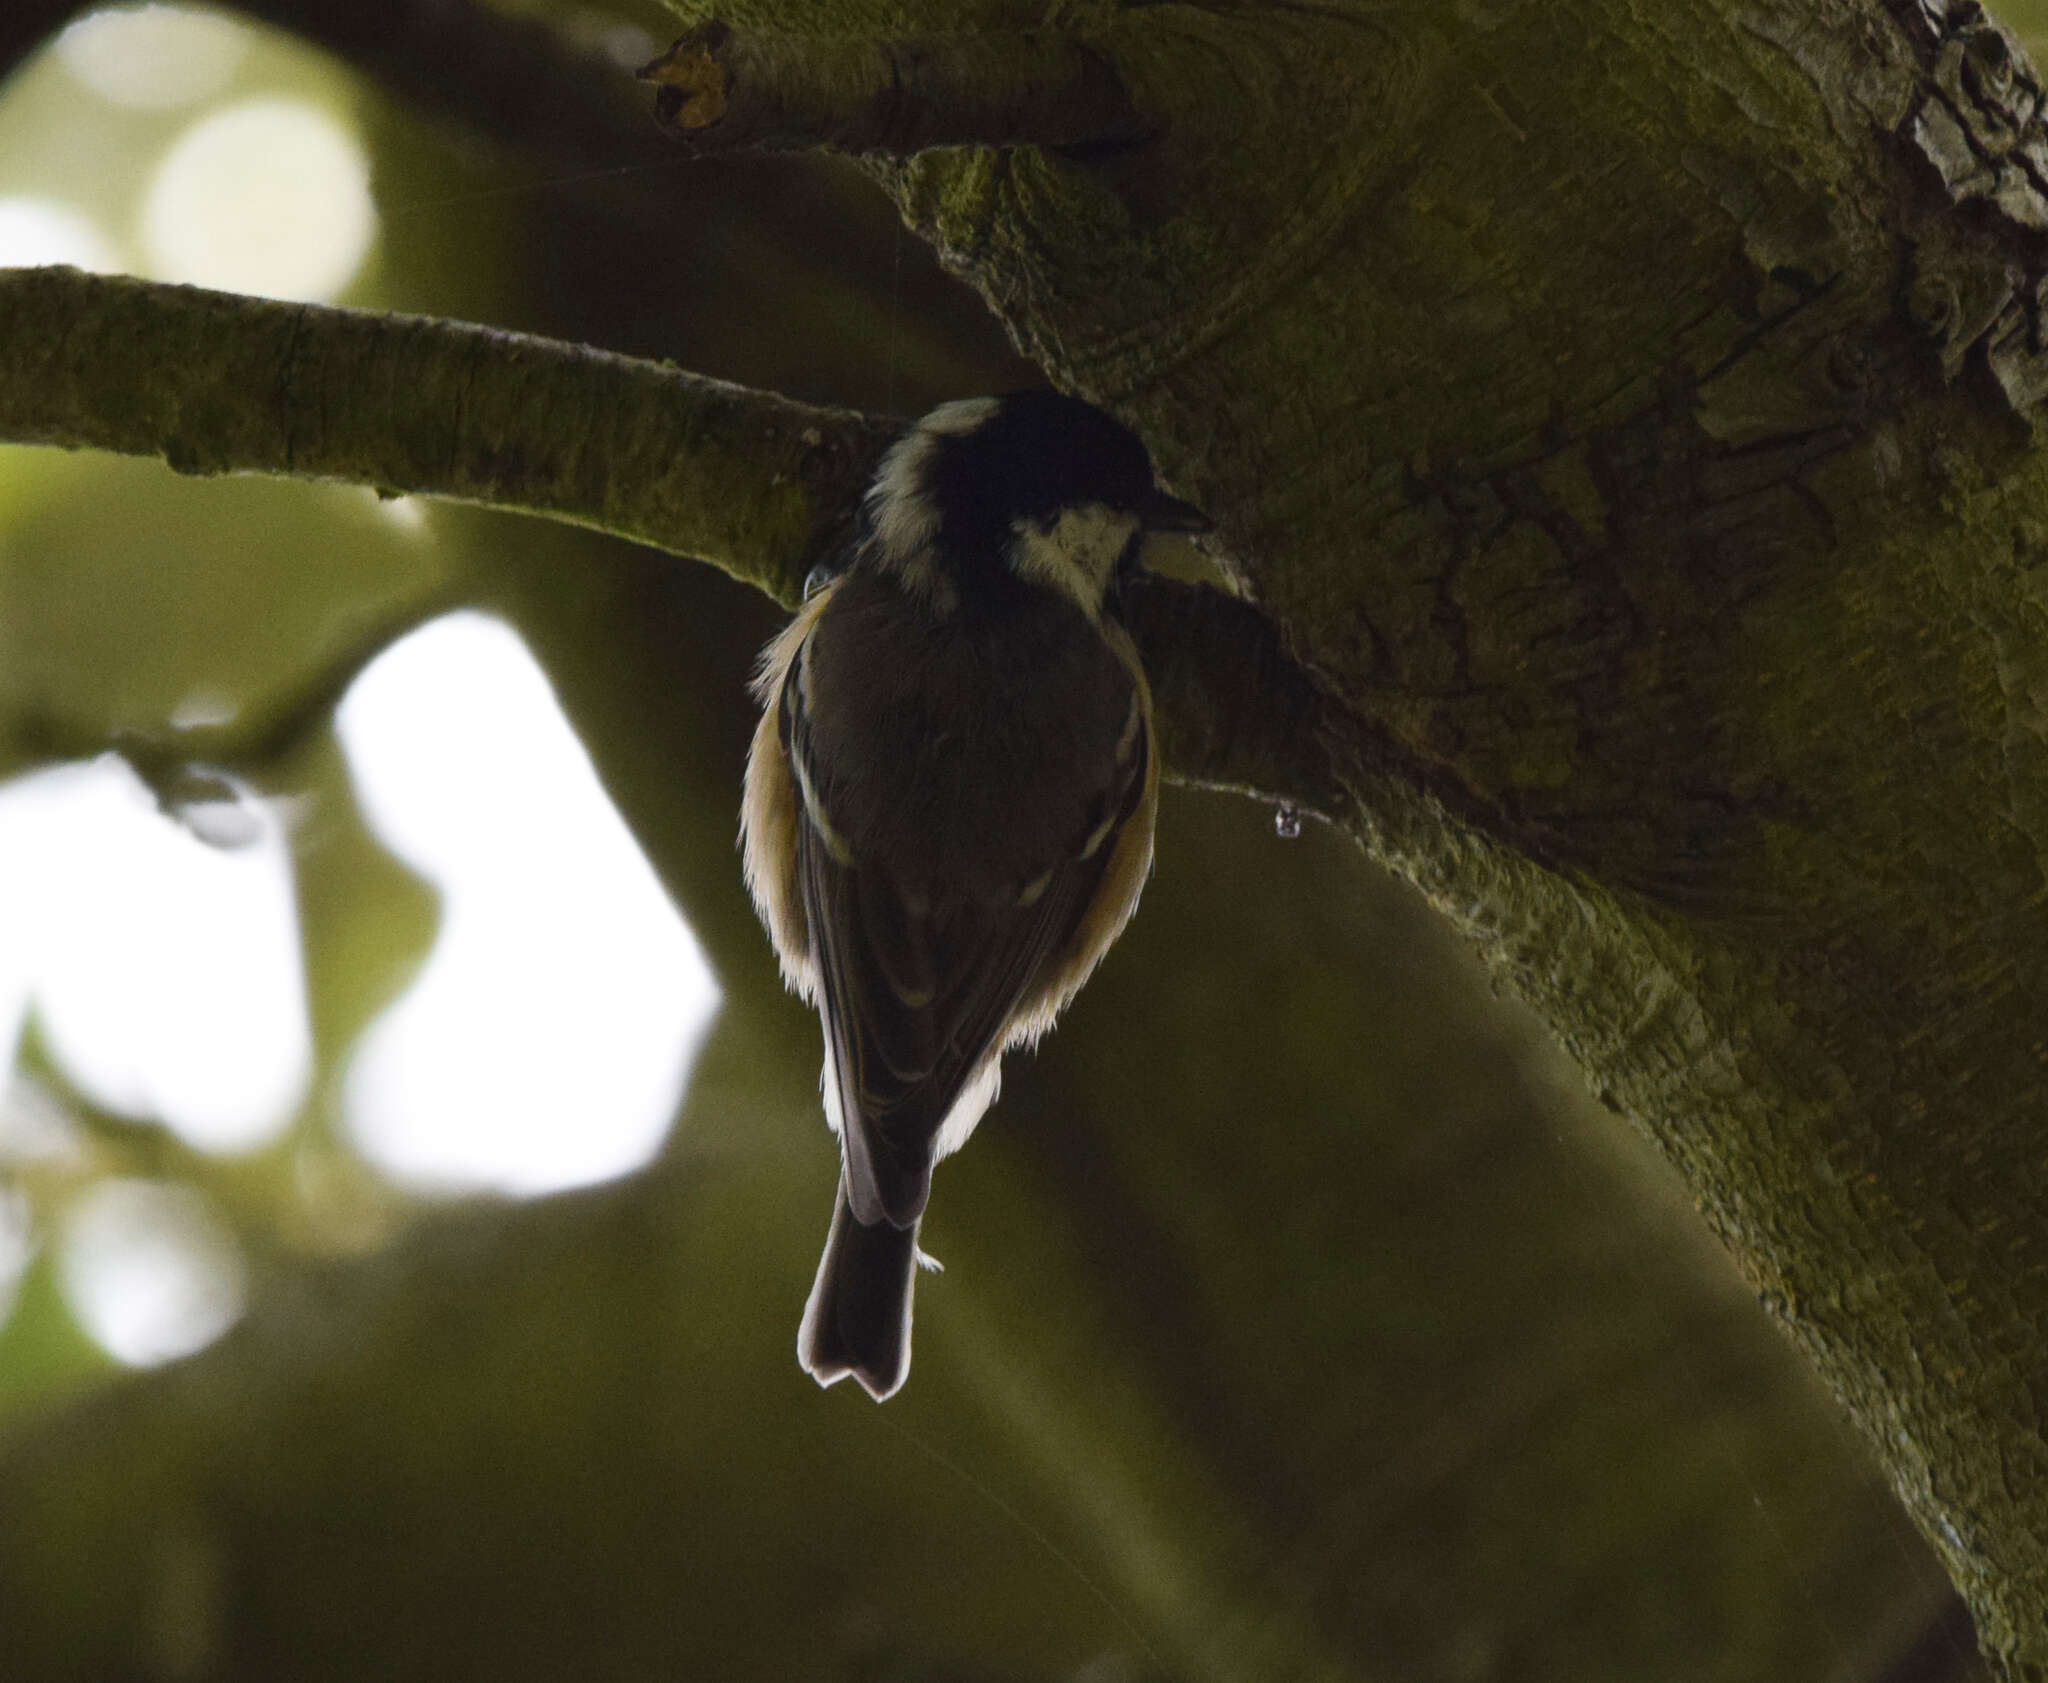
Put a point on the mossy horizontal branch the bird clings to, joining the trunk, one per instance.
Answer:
(746, 480)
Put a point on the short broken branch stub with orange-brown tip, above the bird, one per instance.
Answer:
(730, 91)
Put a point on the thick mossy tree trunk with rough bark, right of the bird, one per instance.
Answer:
(1627, 413)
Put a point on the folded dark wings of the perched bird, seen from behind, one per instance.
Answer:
(916, 994)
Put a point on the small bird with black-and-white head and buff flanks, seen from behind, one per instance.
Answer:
(949, 806)
